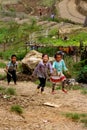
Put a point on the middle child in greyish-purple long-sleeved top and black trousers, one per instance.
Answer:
(43, 68)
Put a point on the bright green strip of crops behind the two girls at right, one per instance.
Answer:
(74, 40)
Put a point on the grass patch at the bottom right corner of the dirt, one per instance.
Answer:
(77, 117)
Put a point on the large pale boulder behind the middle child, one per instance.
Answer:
(31, 60)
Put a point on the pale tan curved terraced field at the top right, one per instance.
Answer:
(67, 9)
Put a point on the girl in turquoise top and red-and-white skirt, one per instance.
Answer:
(59, 66)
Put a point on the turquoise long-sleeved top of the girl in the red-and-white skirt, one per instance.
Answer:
(60, 66)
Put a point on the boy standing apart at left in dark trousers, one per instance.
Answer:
(11, 69)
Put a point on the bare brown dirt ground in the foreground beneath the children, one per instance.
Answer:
(36, 116)
